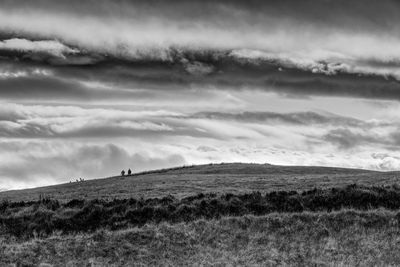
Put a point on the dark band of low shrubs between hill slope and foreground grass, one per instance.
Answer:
(45, 216)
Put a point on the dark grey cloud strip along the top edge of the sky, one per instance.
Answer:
(329, 12)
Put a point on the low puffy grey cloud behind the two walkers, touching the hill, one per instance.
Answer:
(88, 161)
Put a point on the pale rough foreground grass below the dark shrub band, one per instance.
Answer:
(343, 238)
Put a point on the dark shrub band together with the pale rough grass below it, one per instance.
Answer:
(350, 226)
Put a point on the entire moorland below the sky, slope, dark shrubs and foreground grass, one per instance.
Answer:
(208, 215)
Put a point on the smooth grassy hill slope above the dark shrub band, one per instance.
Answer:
(233, 178)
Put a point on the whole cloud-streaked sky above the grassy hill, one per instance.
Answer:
(91, 87)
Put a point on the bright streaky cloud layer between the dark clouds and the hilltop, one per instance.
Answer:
(57, 143)
